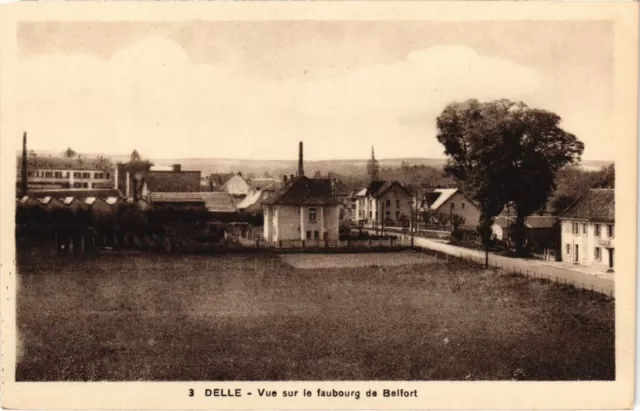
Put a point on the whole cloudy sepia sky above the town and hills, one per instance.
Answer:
(254, 89)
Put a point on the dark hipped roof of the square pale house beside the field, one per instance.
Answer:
(306, 191)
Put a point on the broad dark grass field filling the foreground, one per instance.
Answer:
(255, 317)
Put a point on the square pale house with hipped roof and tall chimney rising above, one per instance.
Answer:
(305, 210)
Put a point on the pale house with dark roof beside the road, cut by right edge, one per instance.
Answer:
(588, 229)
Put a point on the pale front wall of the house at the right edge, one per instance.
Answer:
(586, 243)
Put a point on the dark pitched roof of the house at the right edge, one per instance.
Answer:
(597, 204)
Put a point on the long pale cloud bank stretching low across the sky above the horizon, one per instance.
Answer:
(152, 97)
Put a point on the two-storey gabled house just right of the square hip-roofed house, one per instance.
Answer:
(383, 201)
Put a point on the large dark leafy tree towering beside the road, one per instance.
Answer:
(504, 151)
